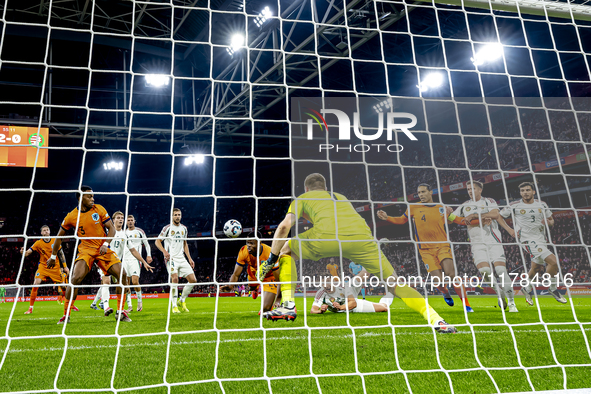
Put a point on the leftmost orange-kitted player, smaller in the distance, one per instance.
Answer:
(57, 274)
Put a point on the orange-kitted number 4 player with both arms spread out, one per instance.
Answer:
(429, 232)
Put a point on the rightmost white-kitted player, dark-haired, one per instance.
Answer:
(529, 219)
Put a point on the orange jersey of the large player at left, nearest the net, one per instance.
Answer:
(91, 224)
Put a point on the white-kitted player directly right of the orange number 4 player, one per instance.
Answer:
(485, 241)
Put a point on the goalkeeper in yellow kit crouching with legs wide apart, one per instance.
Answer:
(356, 241)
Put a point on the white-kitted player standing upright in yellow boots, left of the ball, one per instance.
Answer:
(174, 249)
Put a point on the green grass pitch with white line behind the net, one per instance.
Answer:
(317, 352)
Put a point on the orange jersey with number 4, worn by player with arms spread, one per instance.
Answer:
(429, 225)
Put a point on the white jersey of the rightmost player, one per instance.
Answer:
(528, 220)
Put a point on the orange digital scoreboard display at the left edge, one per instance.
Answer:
(18, 146)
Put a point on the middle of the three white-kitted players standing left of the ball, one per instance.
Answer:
(136, 237)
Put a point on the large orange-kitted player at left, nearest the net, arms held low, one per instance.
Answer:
(91, 222)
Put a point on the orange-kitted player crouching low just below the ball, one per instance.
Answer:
(250, 257)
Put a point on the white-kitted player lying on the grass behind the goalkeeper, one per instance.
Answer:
(344, 298)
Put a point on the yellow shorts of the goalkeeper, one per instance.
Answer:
(359, 248)
